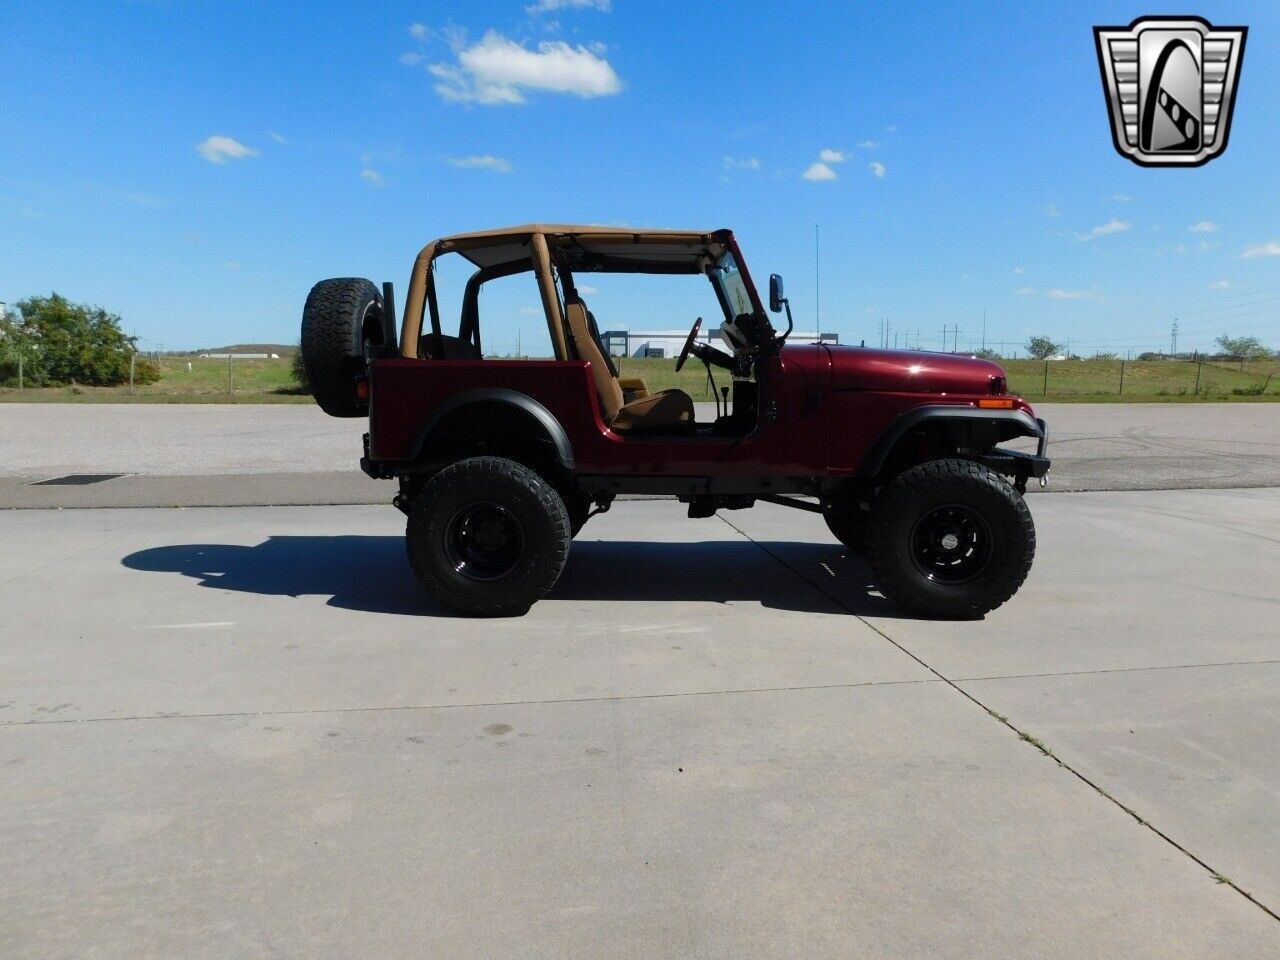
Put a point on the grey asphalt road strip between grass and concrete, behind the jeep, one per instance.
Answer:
(207, 455)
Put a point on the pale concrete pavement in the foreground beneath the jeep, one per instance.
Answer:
(248, 733)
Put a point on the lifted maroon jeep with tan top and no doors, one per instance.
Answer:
(502, 461)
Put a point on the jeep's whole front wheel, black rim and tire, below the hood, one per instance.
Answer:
(950, 538)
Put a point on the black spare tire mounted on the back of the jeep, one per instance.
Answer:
(341, 322)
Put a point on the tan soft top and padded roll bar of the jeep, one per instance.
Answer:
(612, 249)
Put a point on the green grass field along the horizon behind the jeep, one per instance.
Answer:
(1069, 381)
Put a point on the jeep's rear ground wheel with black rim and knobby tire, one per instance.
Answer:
(488, 537)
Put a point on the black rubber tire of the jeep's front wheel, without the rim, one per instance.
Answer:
(897, 499)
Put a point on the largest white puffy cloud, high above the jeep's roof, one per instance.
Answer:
(499, 71)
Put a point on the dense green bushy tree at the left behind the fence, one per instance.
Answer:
(63, 342)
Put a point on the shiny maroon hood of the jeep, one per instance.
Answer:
(909, 372)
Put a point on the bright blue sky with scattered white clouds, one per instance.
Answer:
(968, 148)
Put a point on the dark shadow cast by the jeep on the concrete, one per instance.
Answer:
(372, 574)
